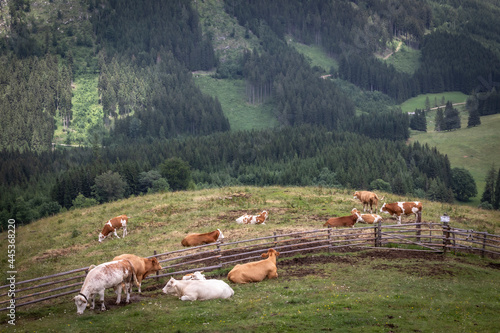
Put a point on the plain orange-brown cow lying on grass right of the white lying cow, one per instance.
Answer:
(255, 271)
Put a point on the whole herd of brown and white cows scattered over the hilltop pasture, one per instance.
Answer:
(127, 269)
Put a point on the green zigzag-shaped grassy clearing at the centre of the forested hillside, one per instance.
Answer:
(231, 95)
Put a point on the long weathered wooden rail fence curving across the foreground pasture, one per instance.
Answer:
(427, 236)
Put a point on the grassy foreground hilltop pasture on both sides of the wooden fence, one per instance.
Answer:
(344, 291)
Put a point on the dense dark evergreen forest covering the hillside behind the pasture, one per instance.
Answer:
(155, 119)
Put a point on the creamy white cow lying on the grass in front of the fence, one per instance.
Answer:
(192, 290)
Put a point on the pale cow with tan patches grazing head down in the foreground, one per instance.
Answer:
(107, 275)
